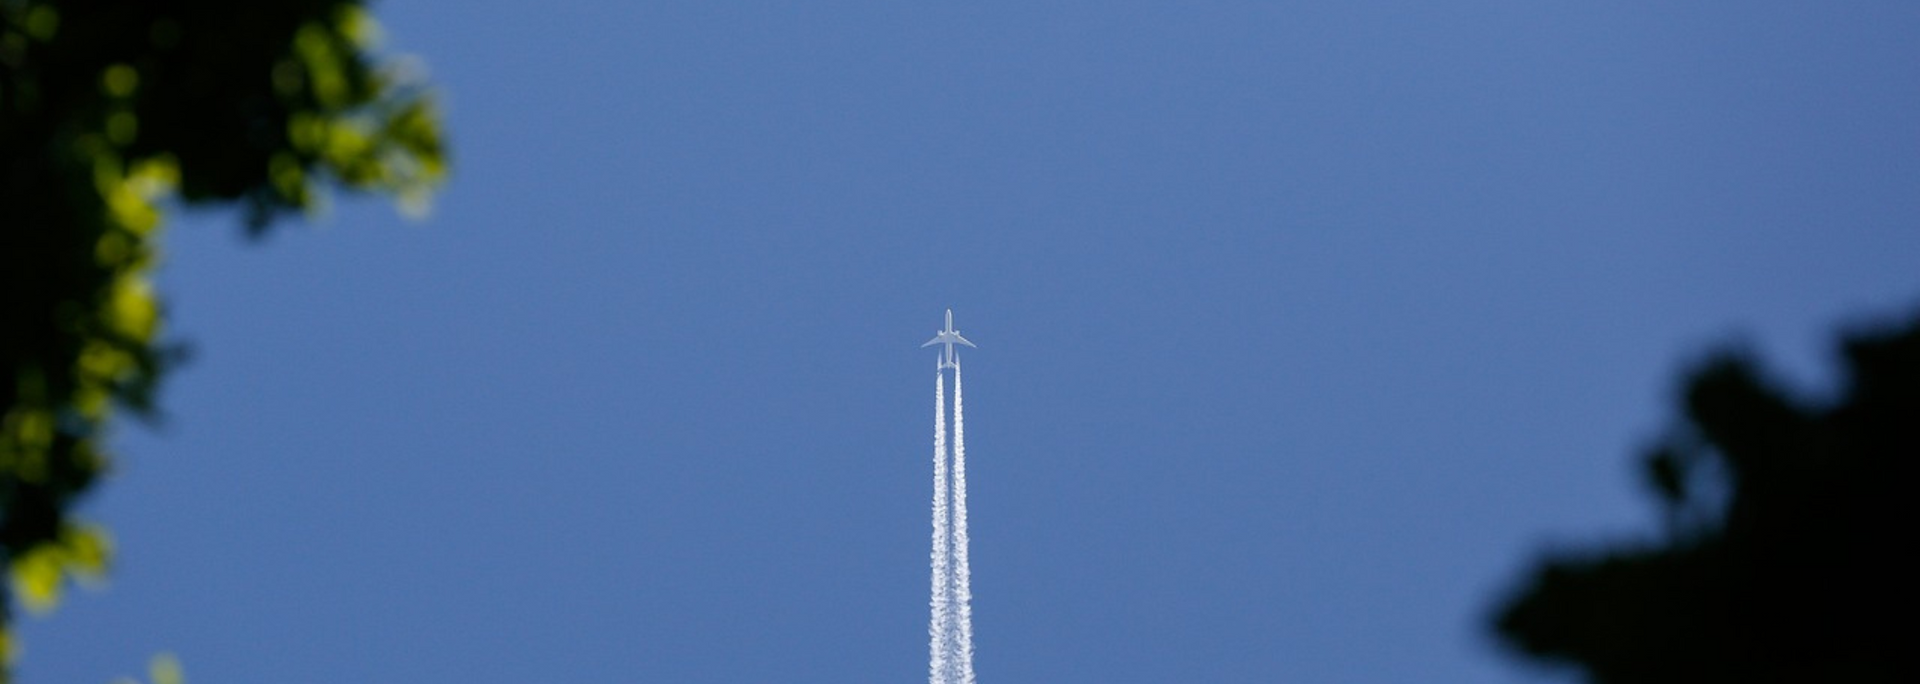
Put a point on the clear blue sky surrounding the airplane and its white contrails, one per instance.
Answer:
(1303, 330)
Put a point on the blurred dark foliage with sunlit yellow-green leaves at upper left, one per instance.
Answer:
(110, 112)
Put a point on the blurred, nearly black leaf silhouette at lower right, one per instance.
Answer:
(1790, 539)
